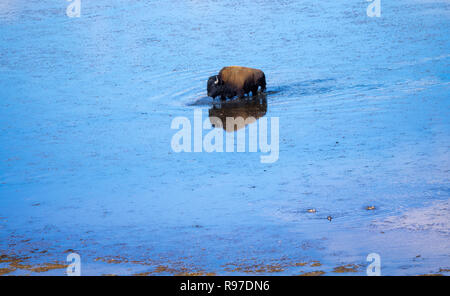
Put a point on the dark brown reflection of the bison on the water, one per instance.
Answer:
(247, 109)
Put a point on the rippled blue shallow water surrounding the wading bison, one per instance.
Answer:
(86, 164)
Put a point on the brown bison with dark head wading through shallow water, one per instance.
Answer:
(236, 81)
